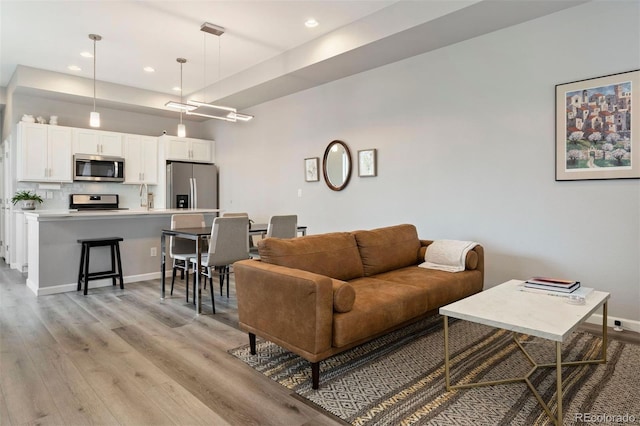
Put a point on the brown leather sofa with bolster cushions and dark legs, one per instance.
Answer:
(319, 295)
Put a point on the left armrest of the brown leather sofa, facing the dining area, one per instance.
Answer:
(291, 307)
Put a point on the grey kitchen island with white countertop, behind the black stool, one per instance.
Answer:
(53, 253)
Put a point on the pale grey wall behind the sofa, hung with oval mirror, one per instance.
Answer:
(465, 139)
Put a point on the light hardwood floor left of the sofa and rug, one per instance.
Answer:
(123, 357)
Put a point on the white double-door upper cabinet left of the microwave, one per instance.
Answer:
(44, 153)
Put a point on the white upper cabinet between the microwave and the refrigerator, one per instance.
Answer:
(141, 159)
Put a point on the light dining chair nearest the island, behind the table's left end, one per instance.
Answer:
(182, 249)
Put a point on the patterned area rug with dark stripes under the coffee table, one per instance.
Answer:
(398, 379)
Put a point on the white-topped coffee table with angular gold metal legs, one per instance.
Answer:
(540, 315)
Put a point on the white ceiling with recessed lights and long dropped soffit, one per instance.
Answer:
(266, 51)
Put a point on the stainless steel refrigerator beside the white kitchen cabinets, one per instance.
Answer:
(192, 185)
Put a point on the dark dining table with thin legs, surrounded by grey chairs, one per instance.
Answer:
(197, 235)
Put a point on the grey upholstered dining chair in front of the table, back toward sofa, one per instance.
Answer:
(229, 242)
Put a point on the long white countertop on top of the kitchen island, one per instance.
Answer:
(71, 214)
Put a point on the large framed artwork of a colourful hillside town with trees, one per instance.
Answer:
(598, 128)
